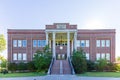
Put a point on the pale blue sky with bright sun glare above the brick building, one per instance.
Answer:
(35, 14)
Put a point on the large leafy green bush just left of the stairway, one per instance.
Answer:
(42, 59)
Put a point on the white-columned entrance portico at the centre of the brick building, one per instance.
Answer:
(61, 39)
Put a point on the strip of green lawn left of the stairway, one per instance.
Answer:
(21, 74)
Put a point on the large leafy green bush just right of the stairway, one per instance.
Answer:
(79, 61)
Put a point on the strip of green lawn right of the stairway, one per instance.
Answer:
(101, 74)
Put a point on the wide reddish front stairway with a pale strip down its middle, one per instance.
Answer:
(61, 67)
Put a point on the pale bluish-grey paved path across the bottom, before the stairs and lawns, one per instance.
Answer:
(60, 77)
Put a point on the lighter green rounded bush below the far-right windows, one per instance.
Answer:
(101, 64)
